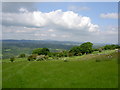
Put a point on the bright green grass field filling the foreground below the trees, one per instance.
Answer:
(78, 72)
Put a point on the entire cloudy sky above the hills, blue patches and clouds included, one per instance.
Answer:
(62, 21)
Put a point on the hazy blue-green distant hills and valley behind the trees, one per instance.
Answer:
(16, 47)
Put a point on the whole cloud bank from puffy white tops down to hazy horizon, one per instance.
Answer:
(55, 25)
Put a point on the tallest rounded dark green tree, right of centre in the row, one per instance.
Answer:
(86, 47)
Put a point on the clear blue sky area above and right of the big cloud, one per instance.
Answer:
(95, 9)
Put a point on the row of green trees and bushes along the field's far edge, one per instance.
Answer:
(85, 48)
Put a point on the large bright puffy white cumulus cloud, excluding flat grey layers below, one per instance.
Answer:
(55, 19)
